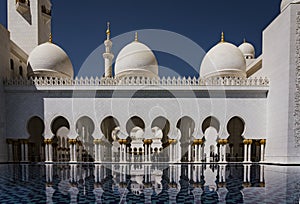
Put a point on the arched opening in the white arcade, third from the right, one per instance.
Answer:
(186, 125)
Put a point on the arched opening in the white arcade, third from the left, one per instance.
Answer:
(85, 128)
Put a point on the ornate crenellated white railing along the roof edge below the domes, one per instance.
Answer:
(218, 81)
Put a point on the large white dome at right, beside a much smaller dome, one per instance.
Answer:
(224, 59)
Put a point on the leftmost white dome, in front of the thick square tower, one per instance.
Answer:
(49, 60)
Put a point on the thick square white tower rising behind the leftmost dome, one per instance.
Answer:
(29, 22)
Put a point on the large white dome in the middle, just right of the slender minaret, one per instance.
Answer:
(136, 60)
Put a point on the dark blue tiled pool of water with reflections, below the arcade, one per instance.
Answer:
(88, 183)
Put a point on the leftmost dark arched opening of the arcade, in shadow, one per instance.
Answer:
(35, 128)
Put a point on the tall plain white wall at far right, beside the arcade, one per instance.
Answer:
(279, 58)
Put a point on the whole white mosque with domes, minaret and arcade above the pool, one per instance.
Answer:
(242, 108)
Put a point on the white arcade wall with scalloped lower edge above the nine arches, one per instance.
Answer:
(21, 105)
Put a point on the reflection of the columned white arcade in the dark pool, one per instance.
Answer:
(117, 183)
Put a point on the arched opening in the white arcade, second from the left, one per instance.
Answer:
(60, 127)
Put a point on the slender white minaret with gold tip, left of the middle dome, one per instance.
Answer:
(108, 55)
